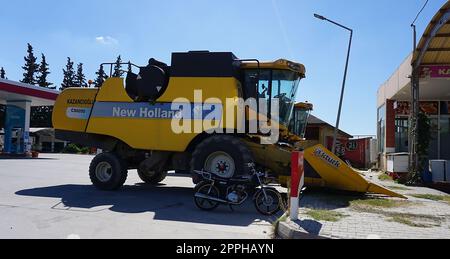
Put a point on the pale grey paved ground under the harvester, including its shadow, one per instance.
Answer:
(52, 198)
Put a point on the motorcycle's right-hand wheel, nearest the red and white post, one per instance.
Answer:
(268, 204)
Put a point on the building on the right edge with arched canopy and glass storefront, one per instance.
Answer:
(431, 61)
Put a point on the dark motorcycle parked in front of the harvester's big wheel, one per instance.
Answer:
(214, 190)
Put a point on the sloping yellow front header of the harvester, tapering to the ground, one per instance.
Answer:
(324, 169)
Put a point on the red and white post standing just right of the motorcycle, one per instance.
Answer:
(297, 182)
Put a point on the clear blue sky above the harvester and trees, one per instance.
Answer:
(96, 31)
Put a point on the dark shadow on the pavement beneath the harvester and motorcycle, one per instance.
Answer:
(167, 202)
